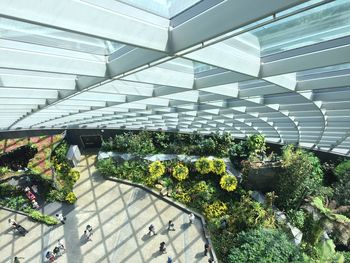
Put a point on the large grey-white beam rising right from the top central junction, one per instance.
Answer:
(224, 17)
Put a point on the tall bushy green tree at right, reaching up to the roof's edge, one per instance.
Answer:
(302, 176)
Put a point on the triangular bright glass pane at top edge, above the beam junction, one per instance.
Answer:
(165, 8)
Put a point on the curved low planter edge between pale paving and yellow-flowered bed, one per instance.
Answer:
(173, 203)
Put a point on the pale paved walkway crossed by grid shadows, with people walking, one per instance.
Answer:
(120, 216)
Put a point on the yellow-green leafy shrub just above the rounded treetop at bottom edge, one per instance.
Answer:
(249, 214)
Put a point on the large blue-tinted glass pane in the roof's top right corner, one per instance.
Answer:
(326, 22)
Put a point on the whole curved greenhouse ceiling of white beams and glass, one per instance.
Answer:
(279, 68)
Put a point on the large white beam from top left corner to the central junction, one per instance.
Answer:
(85, 18)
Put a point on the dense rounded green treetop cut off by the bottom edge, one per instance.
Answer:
(263, 246)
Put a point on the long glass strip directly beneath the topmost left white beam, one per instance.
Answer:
(35, 34)
